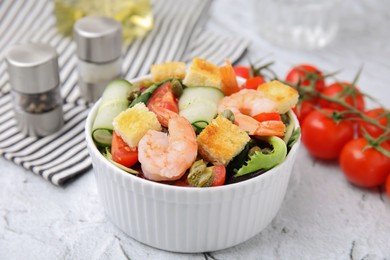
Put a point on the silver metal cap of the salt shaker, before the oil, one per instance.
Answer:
(98, 39)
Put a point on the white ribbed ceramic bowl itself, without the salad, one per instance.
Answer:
(184, 219)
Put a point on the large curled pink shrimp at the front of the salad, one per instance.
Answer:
(167, 157)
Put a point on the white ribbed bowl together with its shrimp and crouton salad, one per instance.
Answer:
(186, 160)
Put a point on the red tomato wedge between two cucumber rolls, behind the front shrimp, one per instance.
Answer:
(163, 97)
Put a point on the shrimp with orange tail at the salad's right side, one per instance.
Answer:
(247, 103)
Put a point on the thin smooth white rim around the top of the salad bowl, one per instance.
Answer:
(117, 171)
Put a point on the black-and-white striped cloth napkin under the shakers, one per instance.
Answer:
(176, 36)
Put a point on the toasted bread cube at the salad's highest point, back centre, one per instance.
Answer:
(203, 73)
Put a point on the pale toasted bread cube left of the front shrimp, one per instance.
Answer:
(133, 123)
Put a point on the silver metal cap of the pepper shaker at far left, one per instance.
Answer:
(33, 68)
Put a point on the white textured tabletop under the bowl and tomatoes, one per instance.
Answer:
(322, 217)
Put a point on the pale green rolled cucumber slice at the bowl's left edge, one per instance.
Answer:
(114, 100)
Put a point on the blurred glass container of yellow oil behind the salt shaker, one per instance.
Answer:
(136, 16)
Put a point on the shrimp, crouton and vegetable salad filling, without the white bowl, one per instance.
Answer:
(195, 128)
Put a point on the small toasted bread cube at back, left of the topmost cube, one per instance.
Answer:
(168, 70)
